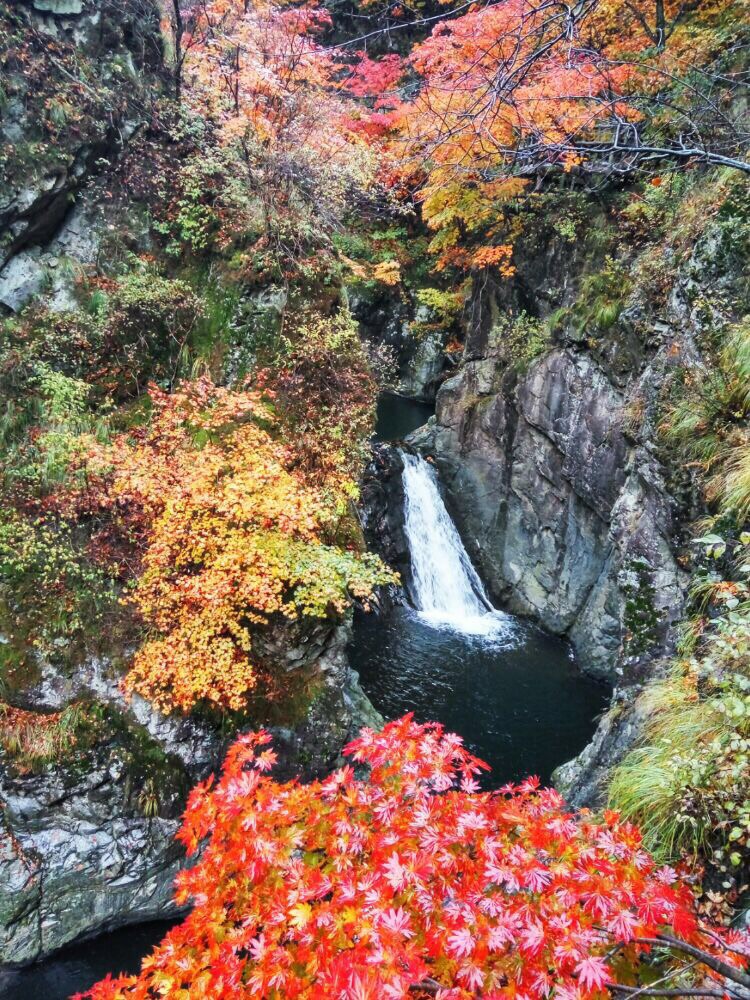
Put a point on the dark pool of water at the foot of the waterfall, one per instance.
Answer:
(516, 696)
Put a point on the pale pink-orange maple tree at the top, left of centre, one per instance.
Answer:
(259, 74)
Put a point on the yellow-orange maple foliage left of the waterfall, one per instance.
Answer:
(230, 536)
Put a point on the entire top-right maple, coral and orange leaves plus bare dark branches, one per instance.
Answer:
(511, 92)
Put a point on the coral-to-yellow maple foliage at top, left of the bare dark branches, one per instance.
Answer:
(487, 105)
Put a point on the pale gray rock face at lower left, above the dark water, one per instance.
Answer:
(71, 864)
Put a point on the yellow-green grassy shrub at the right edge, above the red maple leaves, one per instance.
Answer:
(688, 784)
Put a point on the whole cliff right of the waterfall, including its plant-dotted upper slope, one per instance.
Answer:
(553, 465)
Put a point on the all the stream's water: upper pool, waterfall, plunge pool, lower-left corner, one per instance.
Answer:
(510, 689)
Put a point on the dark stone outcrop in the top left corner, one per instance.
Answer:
(56, 200)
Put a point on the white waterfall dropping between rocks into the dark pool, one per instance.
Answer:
(445, 585)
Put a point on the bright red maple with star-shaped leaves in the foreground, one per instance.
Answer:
(412, 883)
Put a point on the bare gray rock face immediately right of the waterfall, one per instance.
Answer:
(555, 505)
